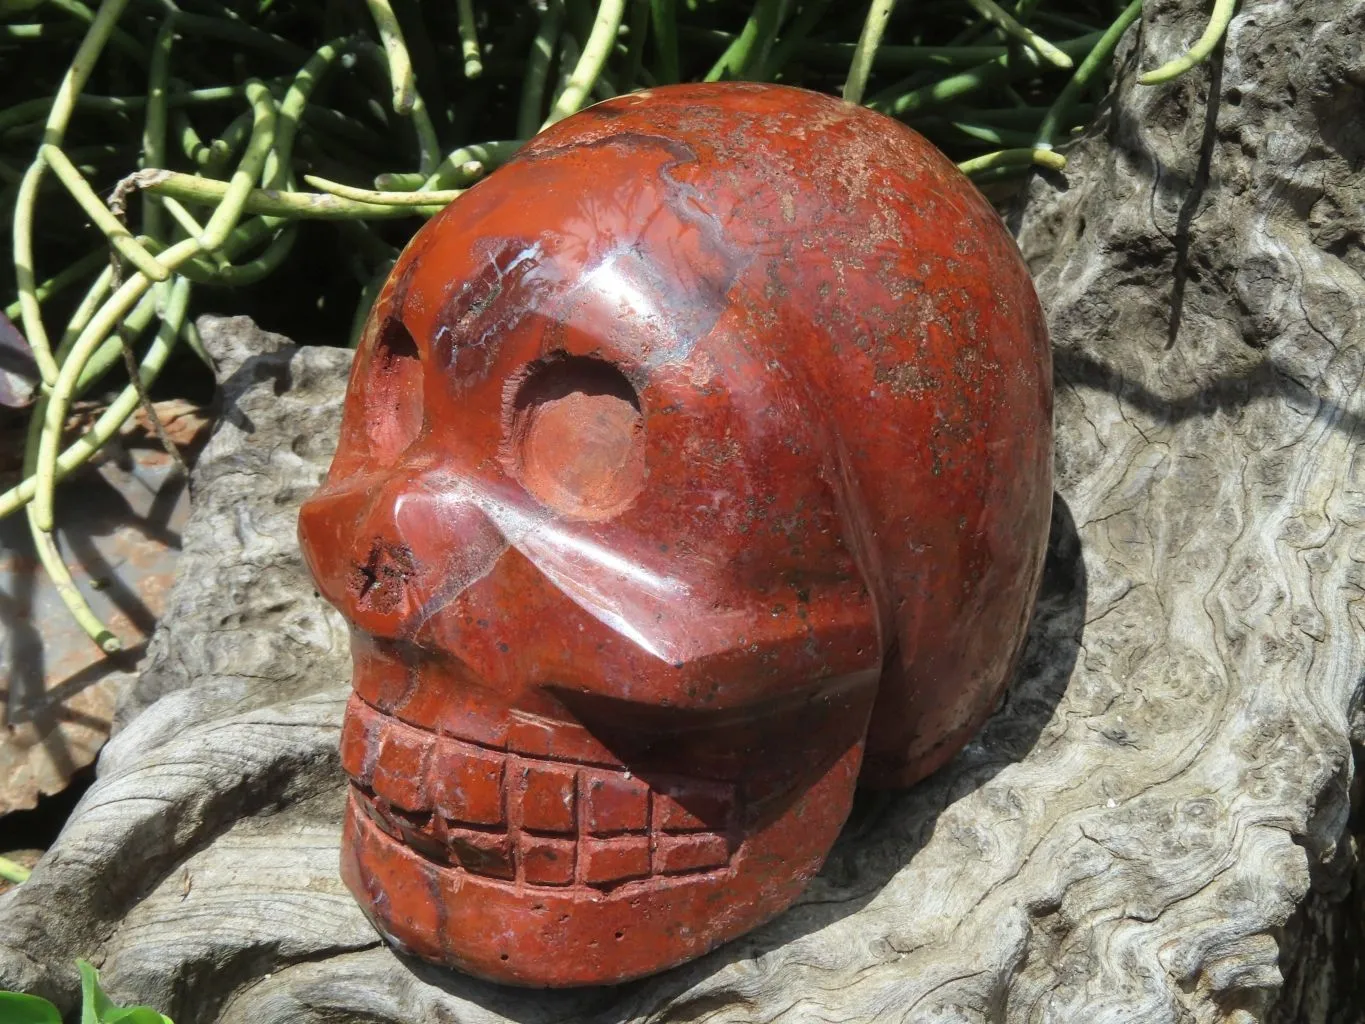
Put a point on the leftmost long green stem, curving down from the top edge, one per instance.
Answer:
(59, 117)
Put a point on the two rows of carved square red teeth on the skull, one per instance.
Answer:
(532, 820)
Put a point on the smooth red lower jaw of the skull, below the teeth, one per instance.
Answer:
(547, 937)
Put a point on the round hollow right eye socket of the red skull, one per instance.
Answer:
(577, 438)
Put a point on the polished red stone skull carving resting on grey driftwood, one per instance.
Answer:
(694, 465)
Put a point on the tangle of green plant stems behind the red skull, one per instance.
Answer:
(227, 225)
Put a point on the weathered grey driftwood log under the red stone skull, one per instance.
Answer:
(1154, 825)
